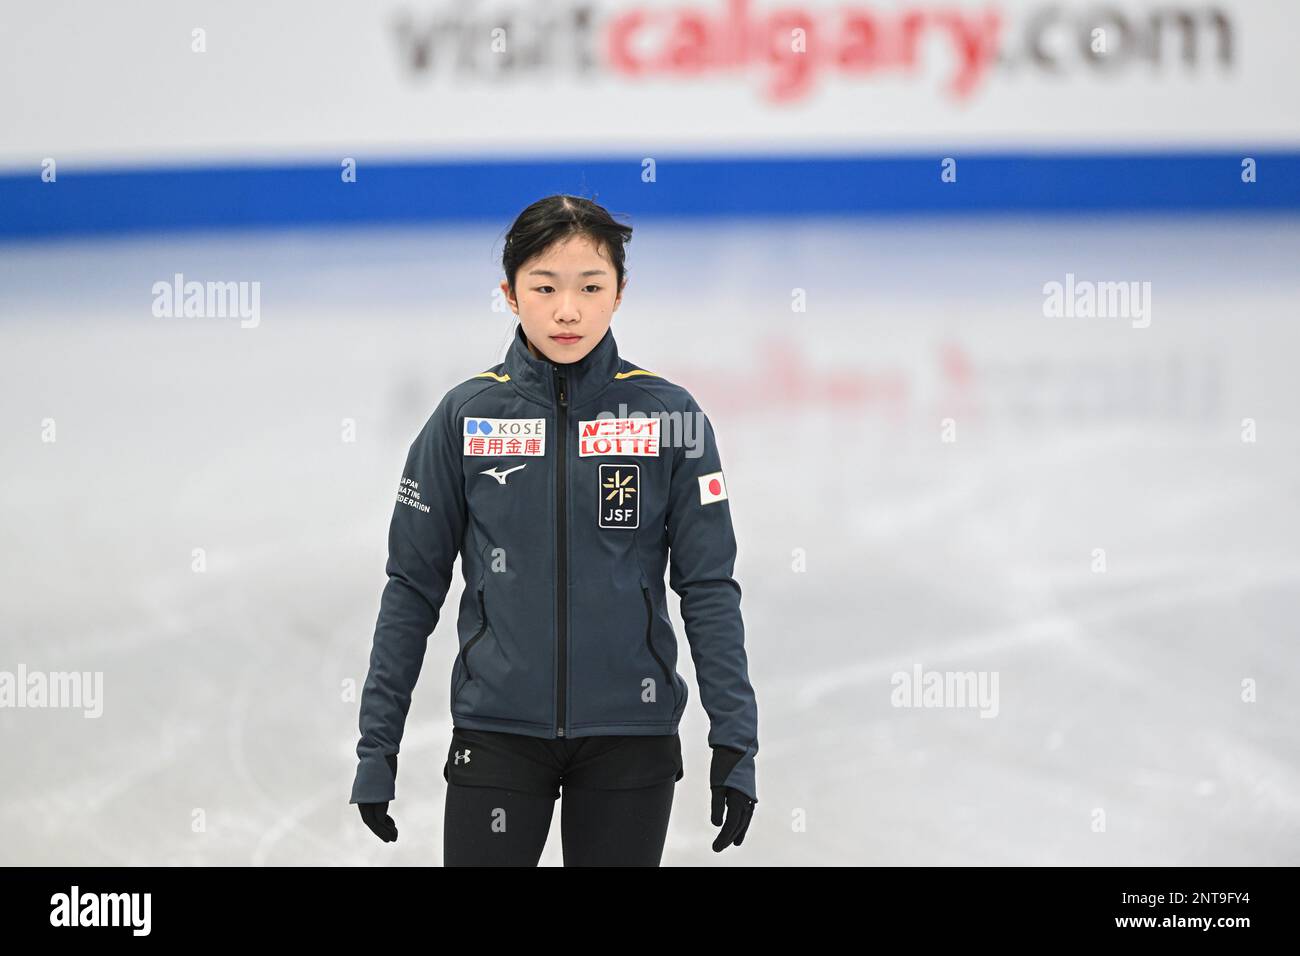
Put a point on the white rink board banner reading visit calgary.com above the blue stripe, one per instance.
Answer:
(157, 83)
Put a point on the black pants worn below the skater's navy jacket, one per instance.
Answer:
(502, 791)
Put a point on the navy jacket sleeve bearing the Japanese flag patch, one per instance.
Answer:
(703, 559)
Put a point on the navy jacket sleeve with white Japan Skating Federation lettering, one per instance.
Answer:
(424, 539)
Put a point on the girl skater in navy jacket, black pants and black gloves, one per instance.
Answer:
(569, 481)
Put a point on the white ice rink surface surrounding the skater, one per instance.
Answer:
(925, 470)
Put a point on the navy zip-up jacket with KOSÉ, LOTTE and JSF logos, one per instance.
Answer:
(569, 491)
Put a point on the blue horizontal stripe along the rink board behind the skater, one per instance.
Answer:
(214, 197)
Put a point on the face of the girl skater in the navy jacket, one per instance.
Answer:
(566, 299)
